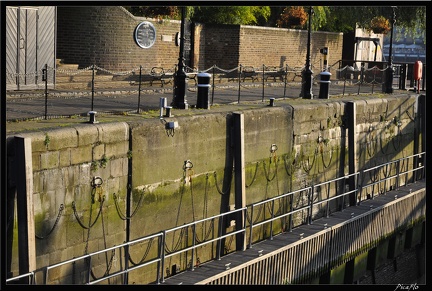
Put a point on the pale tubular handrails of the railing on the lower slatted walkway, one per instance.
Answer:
(162, 235)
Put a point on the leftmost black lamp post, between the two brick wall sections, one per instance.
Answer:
(180, 80)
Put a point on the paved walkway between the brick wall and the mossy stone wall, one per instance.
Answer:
(33, 105)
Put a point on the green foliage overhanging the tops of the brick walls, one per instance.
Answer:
(411, 20)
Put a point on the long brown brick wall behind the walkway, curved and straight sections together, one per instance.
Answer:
(105, 36)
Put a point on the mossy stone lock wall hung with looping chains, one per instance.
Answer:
(142, 169)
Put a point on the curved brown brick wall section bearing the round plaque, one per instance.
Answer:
(105, 36)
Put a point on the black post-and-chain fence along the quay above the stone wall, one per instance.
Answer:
(93, 86)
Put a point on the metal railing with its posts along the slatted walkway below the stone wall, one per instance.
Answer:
(406, 170)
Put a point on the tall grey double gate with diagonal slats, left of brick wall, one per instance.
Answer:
(30, 45)
